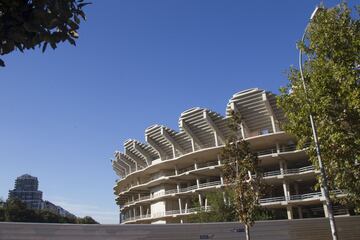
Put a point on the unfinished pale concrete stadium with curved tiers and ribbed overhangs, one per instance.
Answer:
(160, 179)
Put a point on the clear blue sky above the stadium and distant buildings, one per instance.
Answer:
(65, 112)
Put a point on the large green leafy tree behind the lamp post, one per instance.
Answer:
(331, 73)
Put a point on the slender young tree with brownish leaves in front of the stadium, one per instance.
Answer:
(241, 174)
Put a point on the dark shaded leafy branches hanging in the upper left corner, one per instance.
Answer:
(25, 24)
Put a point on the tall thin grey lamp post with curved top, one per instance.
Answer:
(324, 184)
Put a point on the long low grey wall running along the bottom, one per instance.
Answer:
(309, 229)
